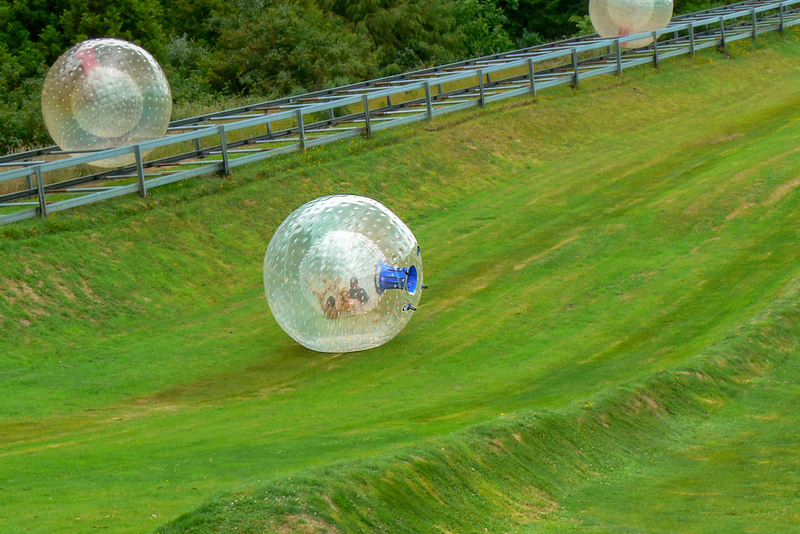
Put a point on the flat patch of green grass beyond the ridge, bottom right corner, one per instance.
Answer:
(735, 471)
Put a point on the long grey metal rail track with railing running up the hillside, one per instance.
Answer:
(282, 126)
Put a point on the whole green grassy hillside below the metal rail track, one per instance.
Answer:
(606, 266)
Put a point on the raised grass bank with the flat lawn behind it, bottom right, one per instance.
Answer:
(602, 463)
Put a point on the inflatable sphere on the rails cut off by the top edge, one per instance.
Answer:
(618, 18)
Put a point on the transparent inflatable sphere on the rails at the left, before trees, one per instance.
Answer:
(105, 93)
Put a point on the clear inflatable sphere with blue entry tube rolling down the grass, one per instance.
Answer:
(343, 273)
